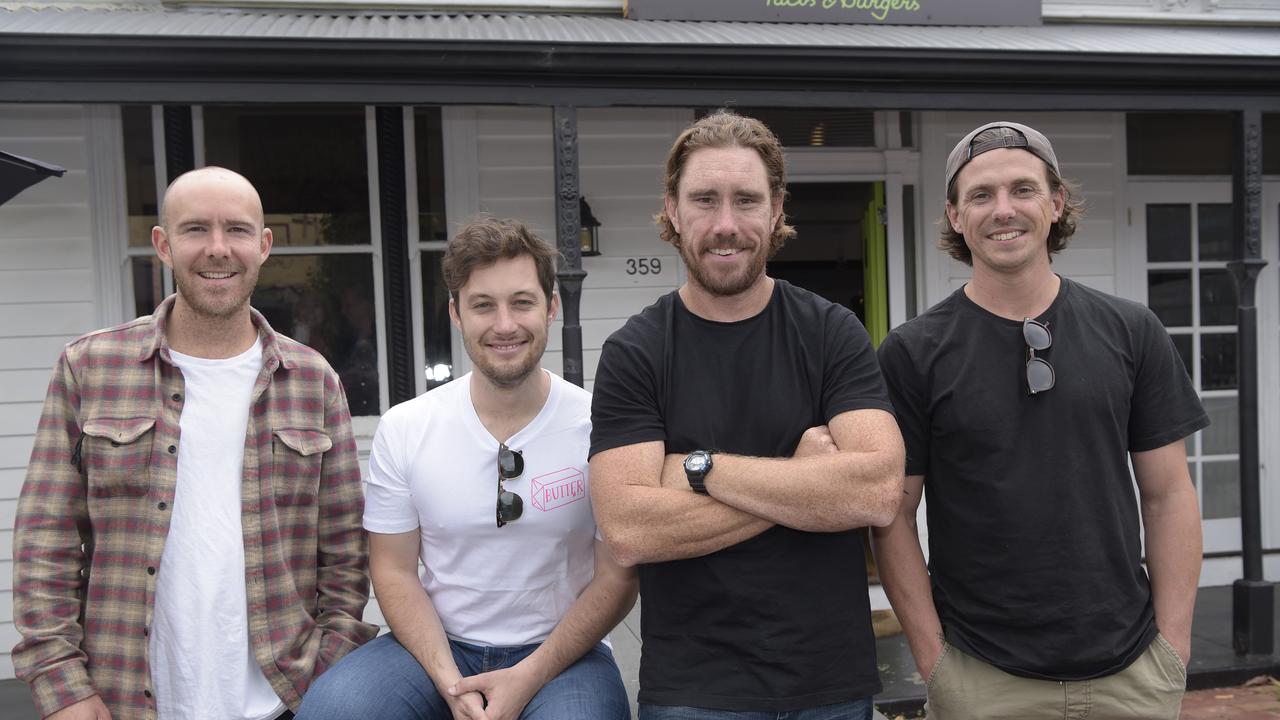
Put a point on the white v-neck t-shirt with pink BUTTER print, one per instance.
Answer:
(435, 470)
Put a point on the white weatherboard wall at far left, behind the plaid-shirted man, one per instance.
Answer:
(48, 291)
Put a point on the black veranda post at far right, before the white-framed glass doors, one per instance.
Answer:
(1252, 609)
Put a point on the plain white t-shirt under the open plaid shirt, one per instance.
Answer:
(202, 662)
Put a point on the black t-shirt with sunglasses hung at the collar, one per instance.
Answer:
(1035, 549)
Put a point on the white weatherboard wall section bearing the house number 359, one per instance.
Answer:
(621, 157)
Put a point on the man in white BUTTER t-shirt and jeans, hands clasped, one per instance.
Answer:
(486, 481)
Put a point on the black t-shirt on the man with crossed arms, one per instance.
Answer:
(779, 622)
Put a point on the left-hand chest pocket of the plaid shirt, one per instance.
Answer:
(116, 454)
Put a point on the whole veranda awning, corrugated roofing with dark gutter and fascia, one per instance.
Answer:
(203, 56)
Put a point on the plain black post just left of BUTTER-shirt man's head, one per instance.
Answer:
(396, 261)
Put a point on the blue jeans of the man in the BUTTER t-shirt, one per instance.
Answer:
(383, 681)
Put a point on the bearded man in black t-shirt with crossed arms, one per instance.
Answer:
(742, 434)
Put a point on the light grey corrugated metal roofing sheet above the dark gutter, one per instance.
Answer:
(596, 30)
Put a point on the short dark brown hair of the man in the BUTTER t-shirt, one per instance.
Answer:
(488, 240)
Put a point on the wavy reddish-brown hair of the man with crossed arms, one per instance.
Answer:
(725, 129)
